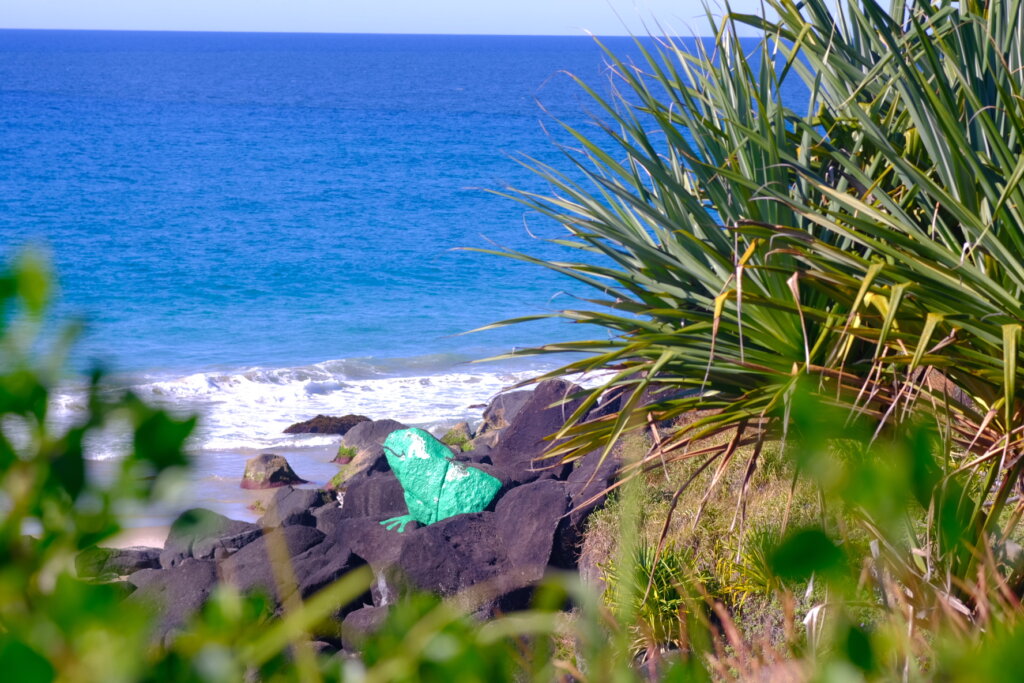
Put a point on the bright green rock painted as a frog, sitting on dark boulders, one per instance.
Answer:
(436, 487)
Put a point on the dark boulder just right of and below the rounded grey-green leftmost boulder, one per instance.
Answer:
(250, 569)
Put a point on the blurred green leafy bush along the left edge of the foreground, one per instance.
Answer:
(52, 625)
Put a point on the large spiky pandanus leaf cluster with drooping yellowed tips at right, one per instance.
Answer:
(872, 244)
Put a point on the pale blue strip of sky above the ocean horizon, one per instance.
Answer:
(465, 17)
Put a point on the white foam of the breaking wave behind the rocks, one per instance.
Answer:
(248, 410)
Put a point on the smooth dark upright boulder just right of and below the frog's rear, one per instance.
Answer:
(527, 519)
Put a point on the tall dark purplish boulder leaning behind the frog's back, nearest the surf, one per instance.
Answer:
(526, 439)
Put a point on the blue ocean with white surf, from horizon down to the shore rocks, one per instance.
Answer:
(263, 228)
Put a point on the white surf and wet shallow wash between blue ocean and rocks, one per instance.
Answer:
(243, 415)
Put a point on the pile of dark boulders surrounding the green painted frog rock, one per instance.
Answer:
(489, 562)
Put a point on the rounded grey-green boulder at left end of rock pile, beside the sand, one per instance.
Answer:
(198, 533)
